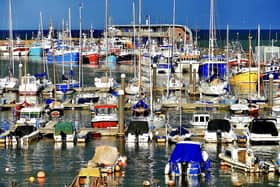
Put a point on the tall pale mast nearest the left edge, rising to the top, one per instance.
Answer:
(11, 57)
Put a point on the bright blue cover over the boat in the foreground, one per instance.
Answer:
(186, 151)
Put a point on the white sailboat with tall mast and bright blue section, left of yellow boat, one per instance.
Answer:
(213, 69)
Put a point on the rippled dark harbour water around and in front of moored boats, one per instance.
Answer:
(61, 162)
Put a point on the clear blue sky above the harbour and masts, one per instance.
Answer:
(238, 14)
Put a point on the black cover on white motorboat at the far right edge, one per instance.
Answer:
(263, 127)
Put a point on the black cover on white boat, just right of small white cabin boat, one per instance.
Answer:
(222, 125)
